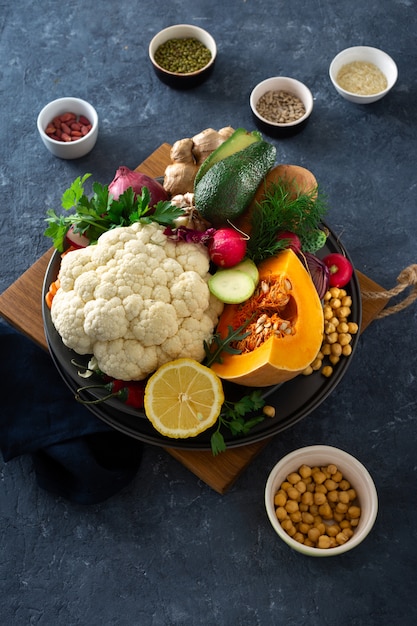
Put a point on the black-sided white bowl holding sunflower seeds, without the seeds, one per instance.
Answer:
(281, 83)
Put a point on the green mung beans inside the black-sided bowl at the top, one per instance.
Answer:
(182, 56)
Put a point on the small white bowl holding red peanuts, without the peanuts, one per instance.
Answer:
(72, 149)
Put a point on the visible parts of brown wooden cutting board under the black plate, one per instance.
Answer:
(21, 306)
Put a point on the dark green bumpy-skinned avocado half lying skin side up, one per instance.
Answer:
(229, 186)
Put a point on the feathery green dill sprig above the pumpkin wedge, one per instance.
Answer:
(281, 211)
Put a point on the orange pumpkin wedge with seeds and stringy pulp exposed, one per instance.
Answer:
(285, 328)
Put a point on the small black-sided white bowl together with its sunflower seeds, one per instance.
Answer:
(281, 106)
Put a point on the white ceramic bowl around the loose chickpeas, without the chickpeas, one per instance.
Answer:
(351, 469)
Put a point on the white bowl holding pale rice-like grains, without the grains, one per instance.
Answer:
(370, 55)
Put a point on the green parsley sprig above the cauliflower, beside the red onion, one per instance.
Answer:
(101, 212)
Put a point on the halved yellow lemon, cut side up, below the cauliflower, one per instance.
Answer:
(183, 398)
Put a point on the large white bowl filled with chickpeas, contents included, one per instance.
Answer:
(321, 501)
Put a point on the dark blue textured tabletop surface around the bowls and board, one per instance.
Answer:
(168, 550)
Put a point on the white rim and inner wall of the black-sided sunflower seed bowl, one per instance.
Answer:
(282, 83)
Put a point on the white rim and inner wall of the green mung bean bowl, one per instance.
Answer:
(182, 31)
